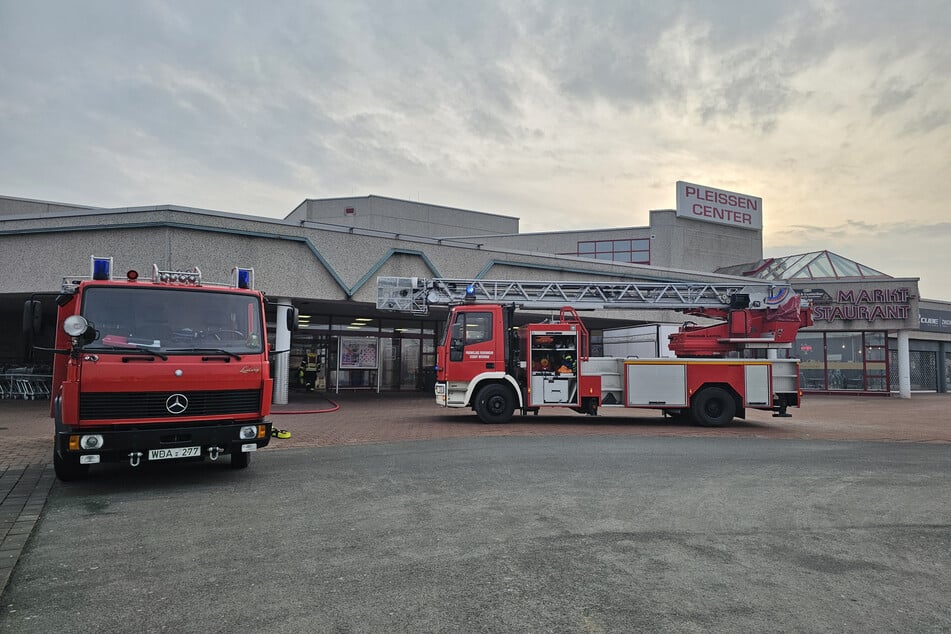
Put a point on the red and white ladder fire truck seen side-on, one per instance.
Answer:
(721, 369)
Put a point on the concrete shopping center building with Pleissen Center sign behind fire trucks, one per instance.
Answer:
(873, 334)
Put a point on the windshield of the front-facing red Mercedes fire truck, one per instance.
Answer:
(175, 319)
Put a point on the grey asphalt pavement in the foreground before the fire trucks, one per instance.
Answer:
(503, 534)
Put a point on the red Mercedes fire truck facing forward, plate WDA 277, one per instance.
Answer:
(156, 370)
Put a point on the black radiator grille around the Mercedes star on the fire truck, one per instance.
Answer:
(114, 405)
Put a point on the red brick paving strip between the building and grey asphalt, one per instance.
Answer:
(26, 429)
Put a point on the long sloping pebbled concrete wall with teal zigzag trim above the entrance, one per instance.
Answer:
(289, 260)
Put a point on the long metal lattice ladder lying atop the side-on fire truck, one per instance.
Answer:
(415, 295)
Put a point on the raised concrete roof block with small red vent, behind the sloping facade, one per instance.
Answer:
(403, 217)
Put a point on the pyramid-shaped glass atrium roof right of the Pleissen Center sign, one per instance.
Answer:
(815, 265)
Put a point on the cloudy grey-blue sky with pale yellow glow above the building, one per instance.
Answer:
(567, 114)
